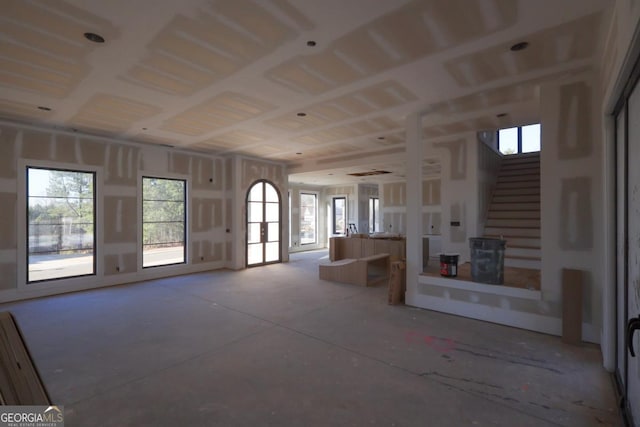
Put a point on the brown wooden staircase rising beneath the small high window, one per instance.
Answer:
(514, 213)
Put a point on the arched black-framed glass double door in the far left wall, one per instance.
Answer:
(263, 224)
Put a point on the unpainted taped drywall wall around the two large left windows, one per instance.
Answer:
(119, 167)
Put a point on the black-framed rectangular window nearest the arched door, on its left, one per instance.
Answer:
(163, 221)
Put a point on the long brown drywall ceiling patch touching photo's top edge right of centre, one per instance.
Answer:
(411, 32)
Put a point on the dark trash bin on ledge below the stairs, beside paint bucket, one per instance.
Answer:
(487, 260)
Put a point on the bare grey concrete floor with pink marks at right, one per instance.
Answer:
(276, 346)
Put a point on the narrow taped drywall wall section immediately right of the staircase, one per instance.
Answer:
(571, 185)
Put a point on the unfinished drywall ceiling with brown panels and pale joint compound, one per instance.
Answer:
(322, 85)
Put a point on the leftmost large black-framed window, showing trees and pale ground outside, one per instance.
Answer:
(61, 223)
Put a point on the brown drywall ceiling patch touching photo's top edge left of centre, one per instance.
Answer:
(214, 44)
